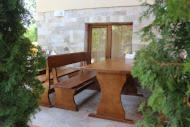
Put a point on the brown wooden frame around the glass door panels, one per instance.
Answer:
(90, 26)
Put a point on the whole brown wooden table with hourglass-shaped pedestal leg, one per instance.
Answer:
(111, 75)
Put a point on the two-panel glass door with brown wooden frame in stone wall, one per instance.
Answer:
(109, 41)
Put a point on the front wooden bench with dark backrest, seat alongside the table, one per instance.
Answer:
(66, 90)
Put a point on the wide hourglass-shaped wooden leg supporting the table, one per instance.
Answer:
(110, 106)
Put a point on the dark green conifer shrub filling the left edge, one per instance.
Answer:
(19, 90)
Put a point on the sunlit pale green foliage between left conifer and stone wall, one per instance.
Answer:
(31, 33)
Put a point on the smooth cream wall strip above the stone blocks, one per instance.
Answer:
(51, 5)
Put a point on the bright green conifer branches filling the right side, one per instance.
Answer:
(163, 66)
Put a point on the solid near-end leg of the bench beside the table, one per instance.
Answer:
(65, 99)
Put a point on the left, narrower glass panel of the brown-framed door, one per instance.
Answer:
(98, 47)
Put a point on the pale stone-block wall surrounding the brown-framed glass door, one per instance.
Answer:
(67, 33)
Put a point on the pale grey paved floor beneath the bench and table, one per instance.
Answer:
(54, 117)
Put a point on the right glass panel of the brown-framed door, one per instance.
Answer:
(121, 40)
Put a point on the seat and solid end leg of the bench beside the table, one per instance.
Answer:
(66, 90)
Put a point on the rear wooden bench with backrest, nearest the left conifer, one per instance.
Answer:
(52, 72)
